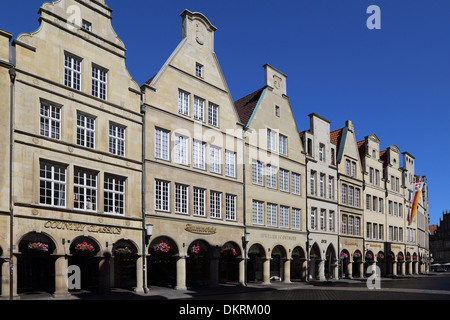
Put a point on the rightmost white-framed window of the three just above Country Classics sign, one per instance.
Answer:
(114, 195)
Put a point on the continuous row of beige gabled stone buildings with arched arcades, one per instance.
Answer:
(173, 183)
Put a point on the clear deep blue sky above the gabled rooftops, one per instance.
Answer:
(394, 82)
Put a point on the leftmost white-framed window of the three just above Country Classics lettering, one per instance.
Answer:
(52, 184)
